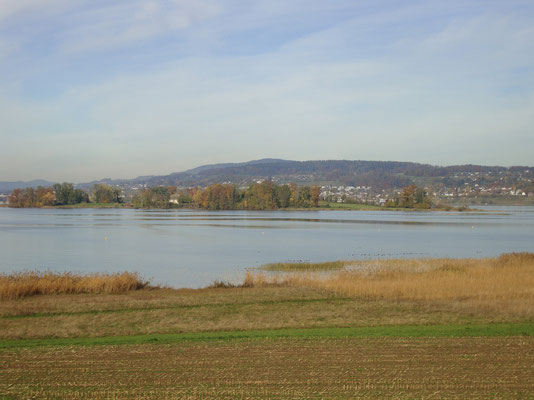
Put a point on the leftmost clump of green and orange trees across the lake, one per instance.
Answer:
(62, 194)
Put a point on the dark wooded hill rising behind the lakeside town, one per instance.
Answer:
(378, 174)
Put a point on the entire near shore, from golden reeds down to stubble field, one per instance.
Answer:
(386, 328)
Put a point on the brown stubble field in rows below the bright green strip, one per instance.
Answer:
(474, 368)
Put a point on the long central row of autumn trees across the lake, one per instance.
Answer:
(259, 196)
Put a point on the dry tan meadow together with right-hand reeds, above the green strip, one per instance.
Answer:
(367, 293)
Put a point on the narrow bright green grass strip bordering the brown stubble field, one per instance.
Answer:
(480, 330)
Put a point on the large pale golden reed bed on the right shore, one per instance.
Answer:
(505, 283)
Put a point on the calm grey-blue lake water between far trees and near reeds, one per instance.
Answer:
(191, 248)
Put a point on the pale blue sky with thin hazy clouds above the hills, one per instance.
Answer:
(91, 89)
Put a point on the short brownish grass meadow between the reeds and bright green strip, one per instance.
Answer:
(171, 311)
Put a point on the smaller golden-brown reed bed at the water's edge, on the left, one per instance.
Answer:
(31, 283)
